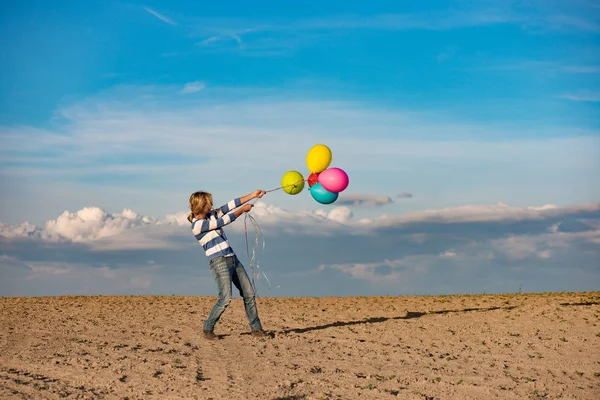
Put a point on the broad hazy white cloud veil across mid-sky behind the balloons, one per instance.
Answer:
(145, 145)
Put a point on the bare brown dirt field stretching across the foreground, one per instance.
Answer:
(519, 346)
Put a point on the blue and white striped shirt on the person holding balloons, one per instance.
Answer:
(209, 233)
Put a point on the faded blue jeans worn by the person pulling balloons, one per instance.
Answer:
(228, 270)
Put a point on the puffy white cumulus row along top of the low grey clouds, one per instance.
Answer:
(127, 229)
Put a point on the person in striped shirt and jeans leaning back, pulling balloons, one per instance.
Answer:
(207, 224)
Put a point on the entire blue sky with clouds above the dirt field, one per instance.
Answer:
(482, 111)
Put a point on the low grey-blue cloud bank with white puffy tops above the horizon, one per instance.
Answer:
(471, 248)
